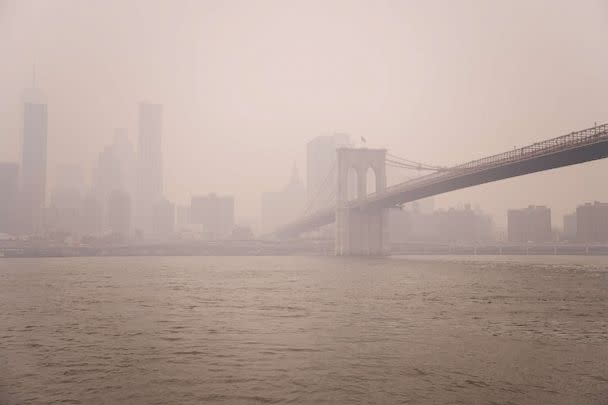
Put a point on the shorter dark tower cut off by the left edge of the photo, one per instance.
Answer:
(9, 187)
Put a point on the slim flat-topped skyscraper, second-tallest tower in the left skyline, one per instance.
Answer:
(150, 174)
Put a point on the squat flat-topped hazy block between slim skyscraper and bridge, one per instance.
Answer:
(215, 214)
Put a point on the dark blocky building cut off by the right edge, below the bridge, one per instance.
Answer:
(592, 222)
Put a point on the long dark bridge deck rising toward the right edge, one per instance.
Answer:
(574, 148)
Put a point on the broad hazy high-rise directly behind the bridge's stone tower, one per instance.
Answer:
(321, 176)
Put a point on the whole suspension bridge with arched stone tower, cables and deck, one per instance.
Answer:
(360, 212)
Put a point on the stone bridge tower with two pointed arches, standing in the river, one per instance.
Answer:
(360, 231)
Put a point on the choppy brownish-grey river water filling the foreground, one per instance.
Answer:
(190, 330)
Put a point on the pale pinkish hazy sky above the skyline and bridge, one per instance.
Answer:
(245, 84)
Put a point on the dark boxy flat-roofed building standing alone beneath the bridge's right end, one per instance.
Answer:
(531, 224)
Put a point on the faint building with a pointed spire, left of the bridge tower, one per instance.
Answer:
(280, 207)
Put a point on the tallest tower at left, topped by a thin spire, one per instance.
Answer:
(33, 166)
